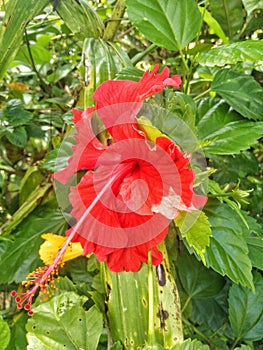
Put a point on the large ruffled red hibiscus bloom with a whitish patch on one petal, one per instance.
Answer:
(132, 187)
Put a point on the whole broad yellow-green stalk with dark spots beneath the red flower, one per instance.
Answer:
(143, 308)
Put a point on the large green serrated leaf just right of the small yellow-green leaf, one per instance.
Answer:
(228, 251)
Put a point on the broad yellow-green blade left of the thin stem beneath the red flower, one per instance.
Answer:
(127, 306)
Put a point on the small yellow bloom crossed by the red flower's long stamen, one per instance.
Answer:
(52, 245)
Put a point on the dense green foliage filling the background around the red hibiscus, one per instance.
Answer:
(52, 58)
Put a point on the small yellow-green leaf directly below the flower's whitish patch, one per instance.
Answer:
(195, 228)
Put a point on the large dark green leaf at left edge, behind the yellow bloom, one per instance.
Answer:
(20, 257)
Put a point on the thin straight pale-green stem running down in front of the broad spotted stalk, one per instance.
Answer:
(151, 333)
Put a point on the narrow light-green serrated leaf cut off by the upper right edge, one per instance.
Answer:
(243, 51)
